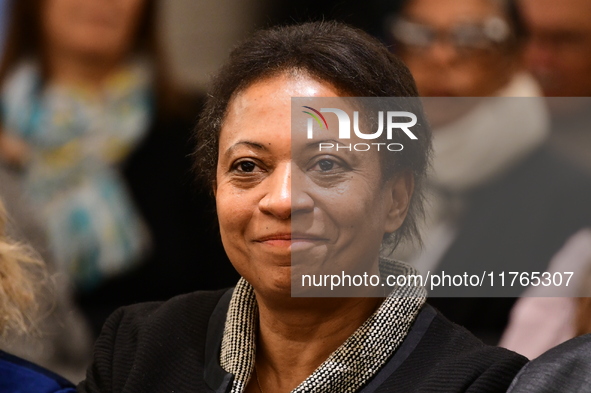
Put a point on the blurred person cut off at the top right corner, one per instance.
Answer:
(559, 56)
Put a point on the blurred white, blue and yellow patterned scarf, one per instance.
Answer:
(77, 138)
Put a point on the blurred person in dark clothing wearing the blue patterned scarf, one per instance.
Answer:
(98, 133)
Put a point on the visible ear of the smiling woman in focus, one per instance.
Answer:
(401, 188)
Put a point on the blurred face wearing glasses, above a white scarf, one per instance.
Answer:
(456, 47)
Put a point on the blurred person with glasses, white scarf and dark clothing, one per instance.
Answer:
(501, 201)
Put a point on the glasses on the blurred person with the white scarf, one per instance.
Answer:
(465, 37)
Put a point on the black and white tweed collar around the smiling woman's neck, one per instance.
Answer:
(349, 367)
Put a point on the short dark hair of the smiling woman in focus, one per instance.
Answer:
(355, 63)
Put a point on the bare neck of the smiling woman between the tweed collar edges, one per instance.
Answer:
(294, 341)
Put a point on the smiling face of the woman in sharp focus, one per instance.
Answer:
(279, 198)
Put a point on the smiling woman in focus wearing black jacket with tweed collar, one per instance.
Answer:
(277, 199)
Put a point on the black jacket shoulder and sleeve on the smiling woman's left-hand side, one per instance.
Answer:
(153, 347)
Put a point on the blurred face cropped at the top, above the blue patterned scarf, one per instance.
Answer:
(100, 29)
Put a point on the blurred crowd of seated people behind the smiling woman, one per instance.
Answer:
(96, 127)
